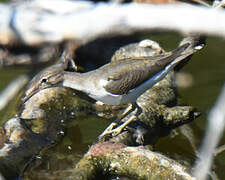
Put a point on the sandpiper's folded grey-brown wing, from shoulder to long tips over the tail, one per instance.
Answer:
(125, 76)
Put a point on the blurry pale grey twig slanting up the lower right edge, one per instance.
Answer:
(216, 122)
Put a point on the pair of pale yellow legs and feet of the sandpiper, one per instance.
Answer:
(110, 131)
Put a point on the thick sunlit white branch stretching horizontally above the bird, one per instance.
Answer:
(54, 21)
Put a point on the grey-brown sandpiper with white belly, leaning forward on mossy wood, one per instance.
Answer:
(118, 82)
